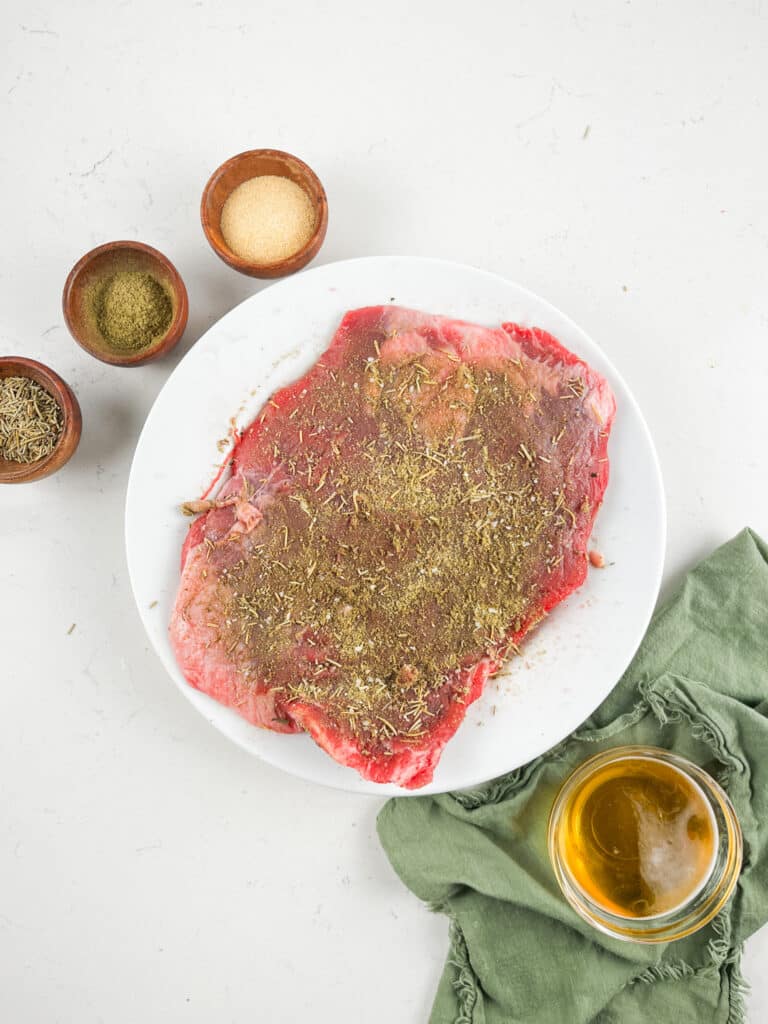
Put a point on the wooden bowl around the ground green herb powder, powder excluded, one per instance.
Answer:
(82, 285)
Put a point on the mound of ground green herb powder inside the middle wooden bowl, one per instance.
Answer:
(133, 310)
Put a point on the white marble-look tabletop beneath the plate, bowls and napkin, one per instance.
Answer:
(612, 157)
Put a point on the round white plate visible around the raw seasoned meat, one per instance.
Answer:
(578, 655)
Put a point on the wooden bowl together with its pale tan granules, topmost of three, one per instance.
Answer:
(265, 214)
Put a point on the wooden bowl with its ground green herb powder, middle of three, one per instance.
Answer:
(125, 304)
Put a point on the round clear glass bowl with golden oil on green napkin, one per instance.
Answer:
(606, 826)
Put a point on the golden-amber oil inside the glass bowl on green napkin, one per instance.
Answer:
(638, 837)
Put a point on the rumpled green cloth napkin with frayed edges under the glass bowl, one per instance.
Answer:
(699, 686)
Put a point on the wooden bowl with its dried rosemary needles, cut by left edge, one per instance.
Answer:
(40, 421)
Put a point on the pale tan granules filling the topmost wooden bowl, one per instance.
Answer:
(268, 219)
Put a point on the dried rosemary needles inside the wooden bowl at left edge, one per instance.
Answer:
(31, 420)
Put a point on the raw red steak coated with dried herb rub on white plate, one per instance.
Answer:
(396, 523)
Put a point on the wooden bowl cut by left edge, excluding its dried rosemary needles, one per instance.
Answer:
(25, 473)
